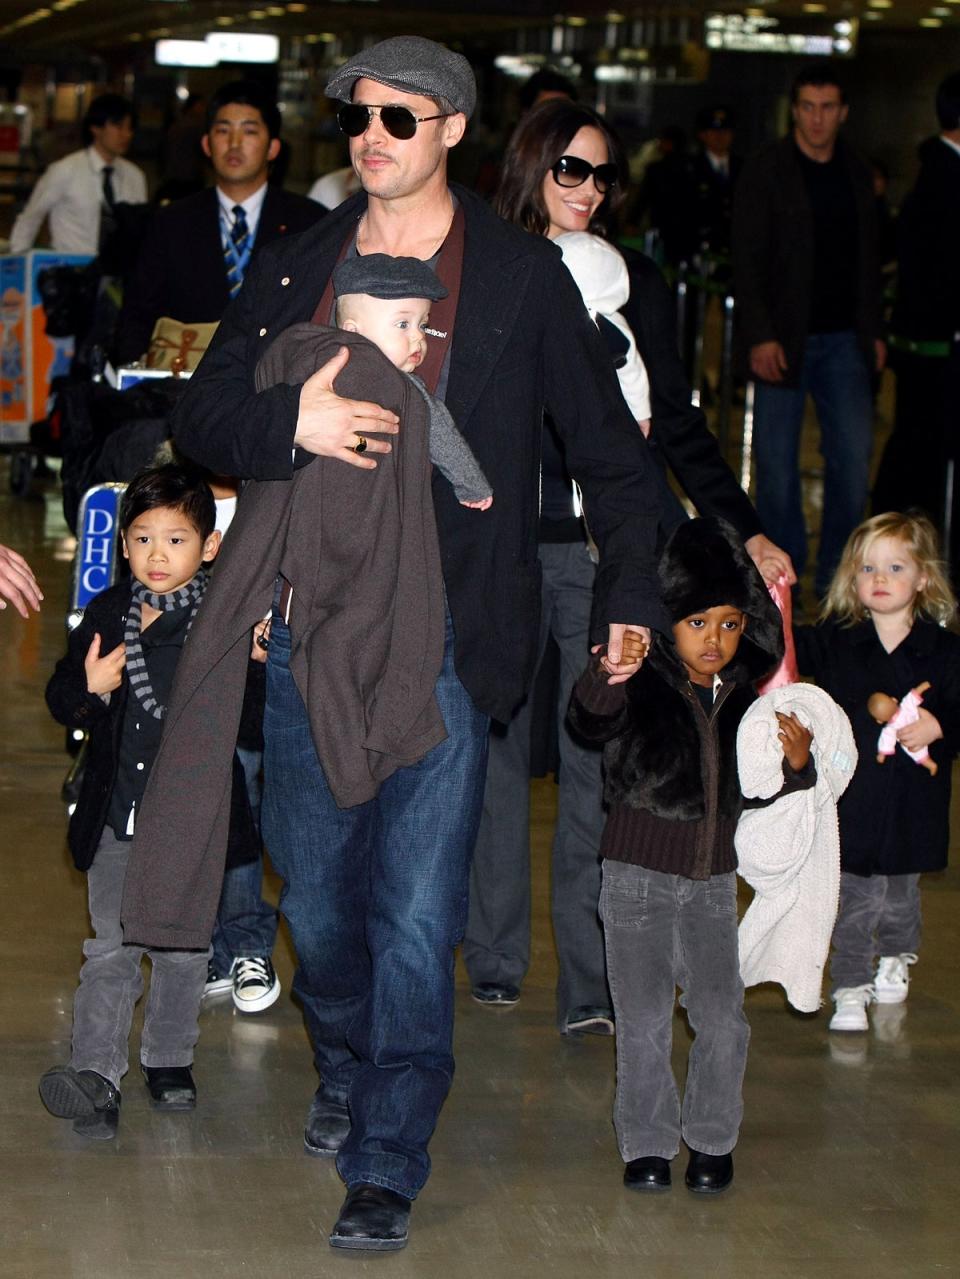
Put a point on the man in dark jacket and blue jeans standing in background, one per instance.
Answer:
(807, 279)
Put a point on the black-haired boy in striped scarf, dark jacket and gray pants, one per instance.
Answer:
(116, 682)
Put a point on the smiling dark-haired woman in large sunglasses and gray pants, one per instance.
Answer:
(564, 171)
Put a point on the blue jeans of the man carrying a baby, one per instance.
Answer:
(376, 901)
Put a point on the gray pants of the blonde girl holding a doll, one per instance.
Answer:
(880, 915)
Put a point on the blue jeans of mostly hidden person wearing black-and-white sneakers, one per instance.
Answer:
(246, 925)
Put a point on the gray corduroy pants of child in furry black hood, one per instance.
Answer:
(665, 932)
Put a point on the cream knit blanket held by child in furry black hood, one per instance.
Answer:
(789, 852)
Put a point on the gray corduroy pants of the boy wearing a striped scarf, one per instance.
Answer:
(112, 983)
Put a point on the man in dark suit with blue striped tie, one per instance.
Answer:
(199, 249)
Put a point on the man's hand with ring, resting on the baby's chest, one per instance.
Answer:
(332, 427)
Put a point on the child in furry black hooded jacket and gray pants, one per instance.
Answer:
(669, 897)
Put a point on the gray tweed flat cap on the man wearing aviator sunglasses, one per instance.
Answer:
(414, 66)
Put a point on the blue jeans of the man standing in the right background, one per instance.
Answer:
(835, 374)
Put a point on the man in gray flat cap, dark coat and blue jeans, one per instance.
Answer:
(376, 895)
